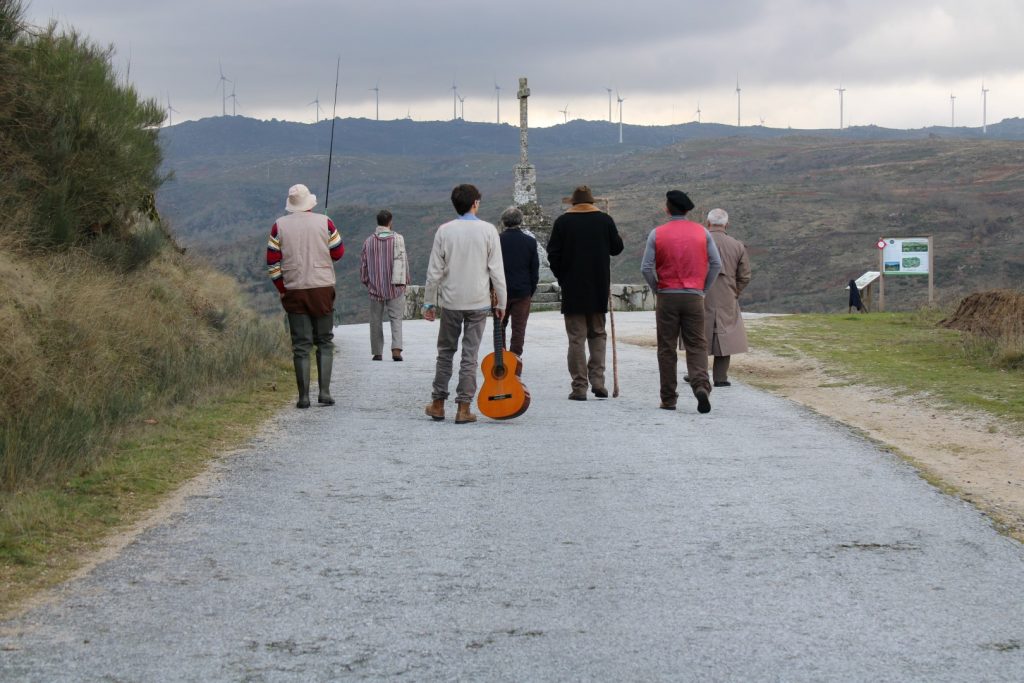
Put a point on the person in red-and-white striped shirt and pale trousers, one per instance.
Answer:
(385, 272)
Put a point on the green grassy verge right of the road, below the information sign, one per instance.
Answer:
(906, 353)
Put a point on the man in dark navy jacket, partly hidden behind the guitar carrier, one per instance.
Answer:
(523, 269)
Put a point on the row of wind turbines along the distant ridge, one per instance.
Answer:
(459, 101)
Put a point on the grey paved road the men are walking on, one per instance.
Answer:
(605, 540)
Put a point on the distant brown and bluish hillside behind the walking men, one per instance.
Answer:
(809, 206)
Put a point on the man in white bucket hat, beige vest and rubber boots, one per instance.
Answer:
(301, 260)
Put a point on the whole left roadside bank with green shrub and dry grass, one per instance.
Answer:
(103, 320)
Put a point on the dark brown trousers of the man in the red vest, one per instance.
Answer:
(681, 316)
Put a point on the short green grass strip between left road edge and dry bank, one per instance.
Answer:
(45, 533)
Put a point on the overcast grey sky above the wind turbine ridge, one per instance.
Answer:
(900, 61)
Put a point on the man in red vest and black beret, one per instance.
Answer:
(680, 264)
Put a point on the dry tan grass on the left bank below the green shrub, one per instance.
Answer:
(84, 351)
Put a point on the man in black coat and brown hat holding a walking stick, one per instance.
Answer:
(583, 240)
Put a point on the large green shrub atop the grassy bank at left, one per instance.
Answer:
(84, 158)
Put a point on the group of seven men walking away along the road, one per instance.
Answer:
(697, 272)
